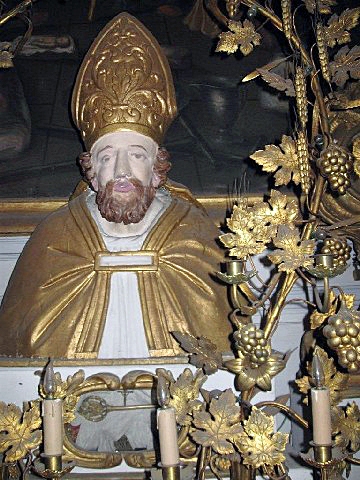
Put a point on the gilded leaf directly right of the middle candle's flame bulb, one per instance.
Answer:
(185, 393)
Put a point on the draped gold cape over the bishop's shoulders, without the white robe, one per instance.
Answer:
(56, 301)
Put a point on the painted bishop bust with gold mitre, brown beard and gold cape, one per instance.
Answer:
(129, 259)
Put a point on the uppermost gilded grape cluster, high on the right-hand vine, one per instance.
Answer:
(335, 164)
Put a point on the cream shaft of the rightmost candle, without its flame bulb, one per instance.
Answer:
(321, 416)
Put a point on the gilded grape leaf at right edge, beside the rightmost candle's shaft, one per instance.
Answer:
(346, 425)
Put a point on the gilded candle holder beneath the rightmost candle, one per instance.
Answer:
(324, 458)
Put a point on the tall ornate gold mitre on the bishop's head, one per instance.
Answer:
(124, 83)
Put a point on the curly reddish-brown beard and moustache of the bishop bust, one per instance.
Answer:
(129, 207)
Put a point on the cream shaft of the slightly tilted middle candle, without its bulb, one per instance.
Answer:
(169, 449)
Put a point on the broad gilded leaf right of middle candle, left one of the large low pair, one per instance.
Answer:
(220, 427)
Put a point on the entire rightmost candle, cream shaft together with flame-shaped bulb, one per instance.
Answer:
(320, 404)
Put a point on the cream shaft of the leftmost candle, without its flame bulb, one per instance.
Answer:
(53, 426)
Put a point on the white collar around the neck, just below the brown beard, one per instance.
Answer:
(121, 230)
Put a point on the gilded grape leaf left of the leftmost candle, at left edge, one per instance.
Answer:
(19, 431)
